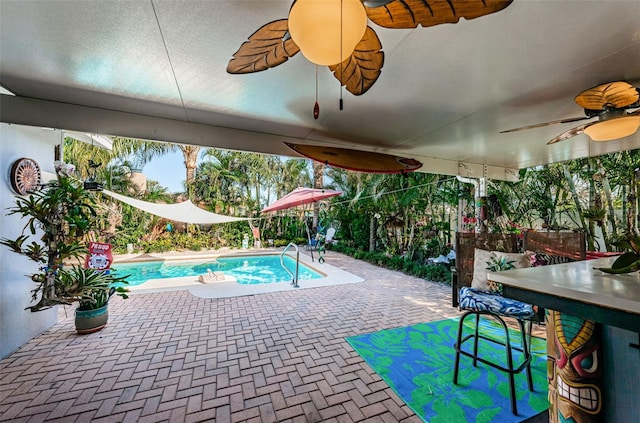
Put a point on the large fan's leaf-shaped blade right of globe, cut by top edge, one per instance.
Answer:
(411, 13)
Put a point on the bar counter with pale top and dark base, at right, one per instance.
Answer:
(579, 289)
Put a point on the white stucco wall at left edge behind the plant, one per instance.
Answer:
(18, 325)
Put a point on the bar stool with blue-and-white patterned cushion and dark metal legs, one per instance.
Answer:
(482, 303)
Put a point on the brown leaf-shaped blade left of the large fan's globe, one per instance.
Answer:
(266, 48)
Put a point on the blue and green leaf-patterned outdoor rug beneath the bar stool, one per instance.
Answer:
(417, 363)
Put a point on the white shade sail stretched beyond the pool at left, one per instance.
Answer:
(185, 212)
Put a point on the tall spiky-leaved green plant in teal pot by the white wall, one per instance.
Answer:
(65, 213)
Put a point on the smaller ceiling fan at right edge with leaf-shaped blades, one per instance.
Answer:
(608, 102)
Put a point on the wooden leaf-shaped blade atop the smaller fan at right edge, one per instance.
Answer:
(617, 94)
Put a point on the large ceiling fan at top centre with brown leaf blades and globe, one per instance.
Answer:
(335, 33)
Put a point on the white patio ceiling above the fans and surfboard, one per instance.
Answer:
(157, 70)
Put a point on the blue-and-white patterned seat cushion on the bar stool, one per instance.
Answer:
(484, 301)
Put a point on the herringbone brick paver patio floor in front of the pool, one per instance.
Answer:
(170, 356)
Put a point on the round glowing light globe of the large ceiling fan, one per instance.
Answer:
(317, 26)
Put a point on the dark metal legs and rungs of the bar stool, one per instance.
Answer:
(510, 369)
